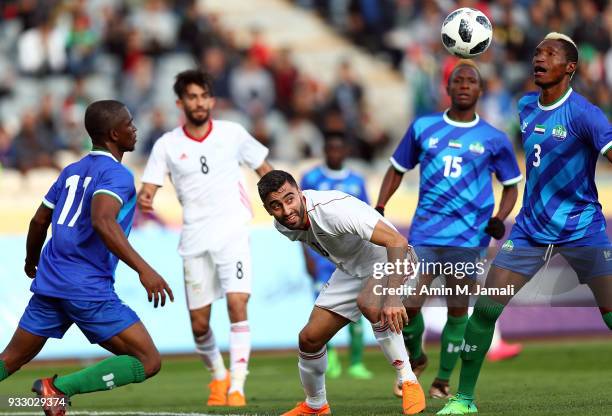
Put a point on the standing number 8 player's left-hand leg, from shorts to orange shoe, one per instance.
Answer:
(202, 288)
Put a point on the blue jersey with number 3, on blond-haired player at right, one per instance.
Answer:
(562, 142)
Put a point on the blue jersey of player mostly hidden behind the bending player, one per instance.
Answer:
(323, 179)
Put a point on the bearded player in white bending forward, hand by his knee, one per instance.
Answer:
(355, 238)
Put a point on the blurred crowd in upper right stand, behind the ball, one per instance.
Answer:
(405, 32)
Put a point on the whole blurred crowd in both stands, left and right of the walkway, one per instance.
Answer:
(59, 55)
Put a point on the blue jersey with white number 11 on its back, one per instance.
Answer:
(75, 264)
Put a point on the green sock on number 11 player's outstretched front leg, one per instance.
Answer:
(105, 375)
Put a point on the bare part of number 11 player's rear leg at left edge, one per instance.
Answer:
(21, 349)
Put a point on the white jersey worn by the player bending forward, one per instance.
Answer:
(340, 229)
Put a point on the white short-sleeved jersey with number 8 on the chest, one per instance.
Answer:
(208, 181)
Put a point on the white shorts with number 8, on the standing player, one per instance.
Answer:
(214, 273)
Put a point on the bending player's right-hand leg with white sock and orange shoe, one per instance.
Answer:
(392, 345)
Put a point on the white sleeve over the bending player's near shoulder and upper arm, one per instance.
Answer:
(349, 215)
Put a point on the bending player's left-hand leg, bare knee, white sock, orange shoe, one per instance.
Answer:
(322, 325)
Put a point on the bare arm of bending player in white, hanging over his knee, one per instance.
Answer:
(393, 312)
